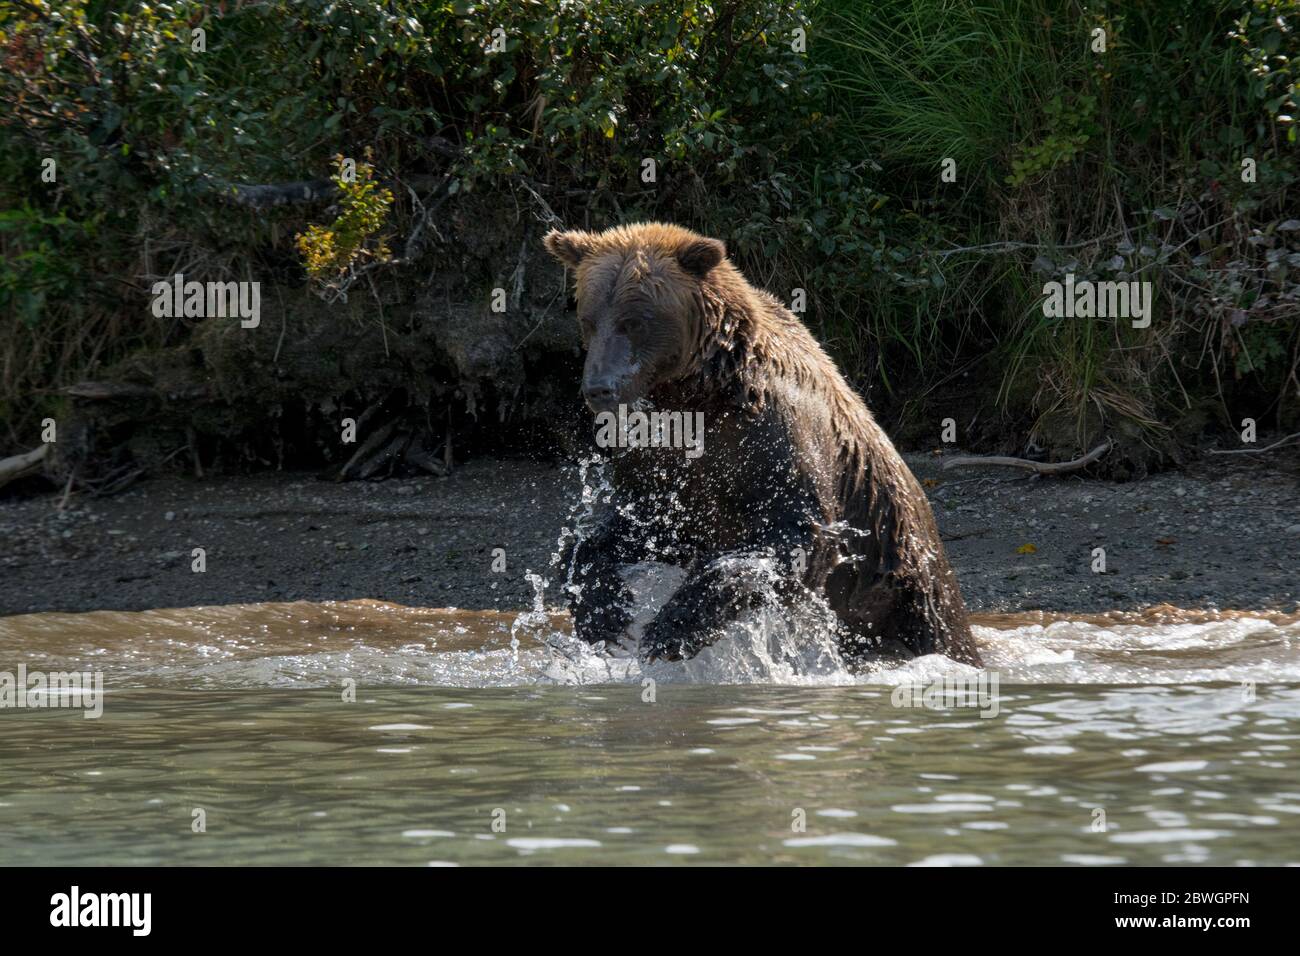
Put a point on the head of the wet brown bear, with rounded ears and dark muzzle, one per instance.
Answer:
(639, 304)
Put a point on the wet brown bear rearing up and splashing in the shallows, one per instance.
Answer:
(794, 466)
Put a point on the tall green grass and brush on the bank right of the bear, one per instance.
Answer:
(1108, 162)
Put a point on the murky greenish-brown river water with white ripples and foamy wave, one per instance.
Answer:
(362, 733)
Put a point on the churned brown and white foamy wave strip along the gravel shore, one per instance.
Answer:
(375, 644)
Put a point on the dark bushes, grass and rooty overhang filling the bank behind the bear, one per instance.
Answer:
(475, 127)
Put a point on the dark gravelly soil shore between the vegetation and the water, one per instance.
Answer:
(1225, 534)
